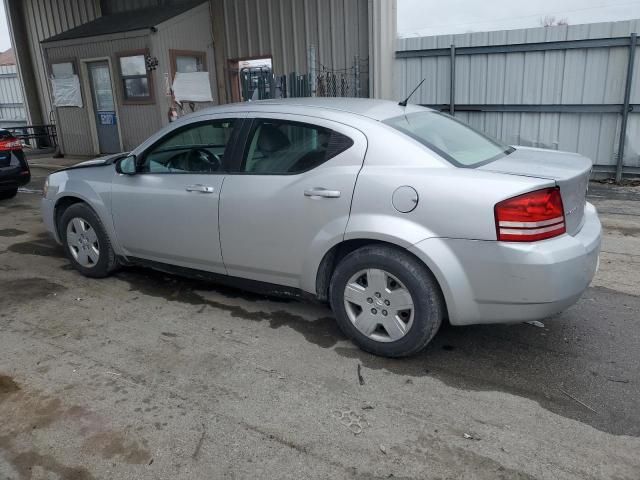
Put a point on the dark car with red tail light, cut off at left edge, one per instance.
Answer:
(14, 169)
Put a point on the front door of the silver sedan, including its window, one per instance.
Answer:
(168, 210)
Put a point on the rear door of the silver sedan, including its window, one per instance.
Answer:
(289, 196)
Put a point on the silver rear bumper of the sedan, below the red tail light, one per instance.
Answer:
(502, 282)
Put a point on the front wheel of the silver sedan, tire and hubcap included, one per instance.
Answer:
(86, 242)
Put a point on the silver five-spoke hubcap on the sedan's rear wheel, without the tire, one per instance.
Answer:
(379, 305)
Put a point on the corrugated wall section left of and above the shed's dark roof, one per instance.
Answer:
(45, 18)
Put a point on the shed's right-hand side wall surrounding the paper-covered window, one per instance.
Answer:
(189, 31)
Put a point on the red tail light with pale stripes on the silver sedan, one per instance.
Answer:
(530, 217)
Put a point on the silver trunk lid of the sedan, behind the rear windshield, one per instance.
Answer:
(570, 171)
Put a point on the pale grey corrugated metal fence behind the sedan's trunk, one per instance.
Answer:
(581, 76)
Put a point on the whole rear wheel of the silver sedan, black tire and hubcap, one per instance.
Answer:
(405, 281)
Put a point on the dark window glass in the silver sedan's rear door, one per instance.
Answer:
(280, 147)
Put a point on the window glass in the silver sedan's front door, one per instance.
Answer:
(197, 148)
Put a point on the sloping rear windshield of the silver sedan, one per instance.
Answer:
(450, 138)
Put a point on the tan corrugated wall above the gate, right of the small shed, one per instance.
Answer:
(284, 29)
